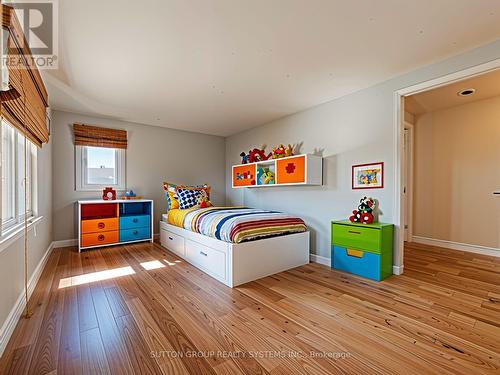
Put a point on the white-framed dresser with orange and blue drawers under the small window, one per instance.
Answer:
(104, 223)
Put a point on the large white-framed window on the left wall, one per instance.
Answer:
(14, 159)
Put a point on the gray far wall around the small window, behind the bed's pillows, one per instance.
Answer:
(154, 154)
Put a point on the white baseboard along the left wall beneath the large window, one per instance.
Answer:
(17, 311)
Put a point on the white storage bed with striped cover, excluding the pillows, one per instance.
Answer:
(236, 245)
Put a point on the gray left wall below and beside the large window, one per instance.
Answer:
(39, 240)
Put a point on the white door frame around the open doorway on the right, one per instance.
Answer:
(398, 141)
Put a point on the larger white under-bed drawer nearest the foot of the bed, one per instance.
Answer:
(210, 260)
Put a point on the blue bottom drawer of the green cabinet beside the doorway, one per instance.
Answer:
(362, 263)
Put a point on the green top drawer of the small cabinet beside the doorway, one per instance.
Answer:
(357, 237)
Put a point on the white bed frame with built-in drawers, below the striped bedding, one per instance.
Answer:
(236, 263)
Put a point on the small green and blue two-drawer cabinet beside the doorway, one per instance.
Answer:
(362, 249)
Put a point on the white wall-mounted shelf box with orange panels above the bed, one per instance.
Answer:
(303, 169)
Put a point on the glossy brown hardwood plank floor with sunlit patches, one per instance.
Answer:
(442, 316)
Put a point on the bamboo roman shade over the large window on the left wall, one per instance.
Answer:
(25, 104)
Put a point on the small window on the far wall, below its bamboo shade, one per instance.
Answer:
(99, 167)
